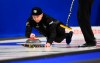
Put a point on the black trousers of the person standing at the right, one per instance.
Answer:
(84, 13)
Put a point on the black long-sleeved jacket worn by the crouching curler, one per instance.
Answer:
(48, 26)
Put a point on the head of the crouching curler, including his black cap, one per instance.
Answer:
(37, 14)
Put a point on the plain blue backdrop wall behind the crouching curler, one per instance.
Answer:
(14, 14)
